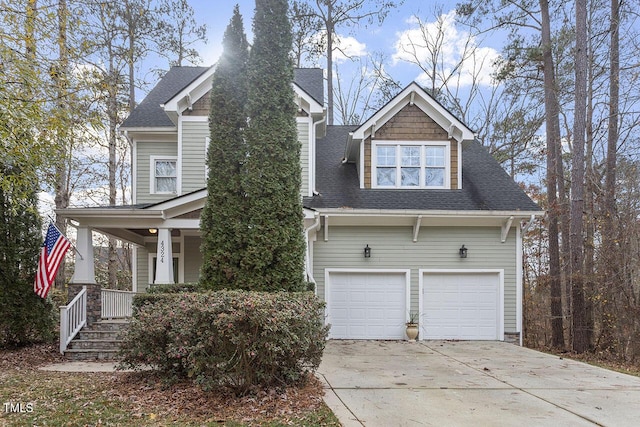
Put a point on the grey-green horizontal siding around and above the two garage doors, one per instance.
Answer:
(436, 248)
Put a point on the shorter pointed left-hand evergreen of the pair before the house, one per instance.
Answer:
(222, 219)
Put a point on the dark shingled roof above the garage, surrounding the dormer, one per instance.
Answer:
(486, 186)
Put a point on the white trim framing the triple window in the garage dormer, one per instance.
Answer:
(422, 145)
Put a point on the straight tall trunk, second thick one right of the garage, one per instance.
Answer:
(579, 318)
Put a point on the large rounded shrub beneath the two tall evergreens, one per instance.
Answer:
(231, 339)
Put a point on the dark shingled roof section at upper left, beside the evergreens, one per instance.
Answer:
(149, 113)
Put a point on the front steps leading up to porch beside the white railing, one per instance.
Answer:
(99, 342)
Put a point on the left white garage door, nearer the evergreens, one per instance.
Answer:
(367, 305)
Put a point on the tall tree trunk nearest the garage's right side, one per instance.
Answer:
(553, 139)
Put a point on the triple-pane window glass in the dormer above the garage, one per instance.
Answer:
(423, 165)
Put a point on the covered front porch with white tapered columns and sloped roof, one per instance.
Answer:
(165, 238)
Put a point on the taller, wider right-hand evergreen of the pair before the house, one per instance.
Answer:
(274, 256)
